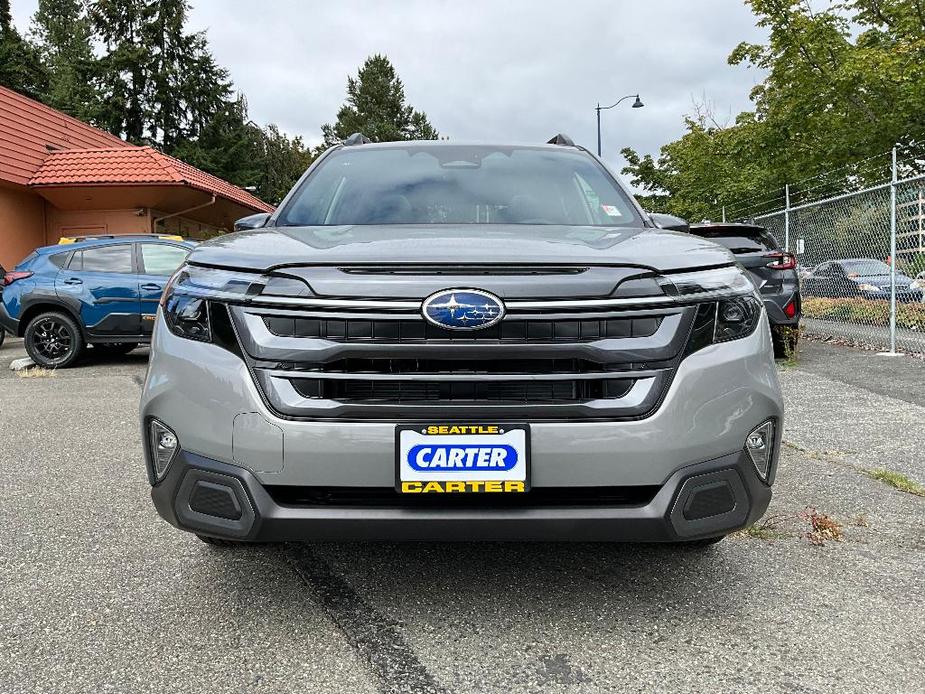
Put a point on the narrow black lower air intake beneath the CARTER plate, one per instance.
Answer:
(387, 497)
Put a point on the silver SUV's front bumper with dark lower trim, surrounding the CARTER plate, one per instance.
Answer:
(208, 397)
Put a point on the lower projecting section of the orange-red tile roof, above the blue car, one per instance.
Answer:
(134, 166)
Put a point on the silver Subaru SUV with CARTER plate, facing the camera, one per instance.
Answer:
(432, 341)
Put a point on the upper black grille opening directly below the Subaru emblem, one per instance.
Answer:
(417, 330)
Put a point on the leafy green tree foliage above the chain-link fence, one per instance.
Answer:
(842, 84)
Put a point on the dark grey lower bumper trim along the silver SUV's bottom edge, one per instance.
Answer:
(698, 501)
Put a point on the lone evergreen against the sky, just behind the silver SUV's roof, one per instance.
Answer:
(376, 107)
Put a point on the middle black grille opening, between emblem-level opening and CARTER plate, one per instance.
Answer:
(498, 392)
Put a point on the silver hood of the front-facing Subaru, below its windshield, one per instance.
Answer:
(276, 247)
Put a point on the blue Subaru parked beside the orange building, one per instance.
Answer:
(102, 291)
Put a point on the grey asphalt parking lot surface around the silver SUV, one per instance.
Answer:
(97, 594)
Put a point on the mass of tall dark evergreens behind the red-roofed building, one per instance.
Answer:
(130, 67)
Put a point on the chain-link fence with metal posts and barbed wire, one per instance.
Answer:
(845, 246)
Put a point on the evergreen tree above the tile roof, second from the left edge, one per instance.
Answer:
(64, 36)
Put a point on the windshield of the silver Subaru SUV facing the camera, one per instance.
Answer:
(454, 184)
